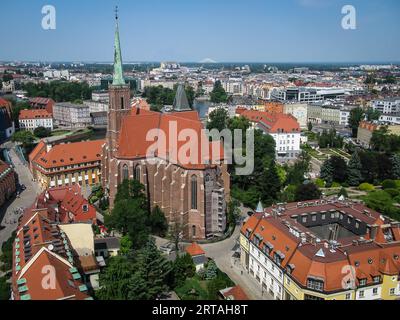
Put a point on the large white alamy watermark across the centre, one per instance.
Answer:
(193, 147)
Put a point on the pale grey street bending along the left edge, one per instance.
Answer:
(8, 215)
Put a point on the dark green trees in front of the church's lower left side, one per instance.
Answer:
(140, 272)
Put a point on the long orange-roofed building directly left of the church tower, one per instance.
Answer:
(66, 165)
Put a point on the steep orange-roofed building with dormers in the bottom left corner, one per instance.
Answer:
(44, 266)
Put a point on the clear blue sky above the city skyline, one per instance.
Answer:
(192, 30)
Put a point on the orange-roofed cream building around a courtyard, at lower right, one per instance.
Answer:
(323, 250)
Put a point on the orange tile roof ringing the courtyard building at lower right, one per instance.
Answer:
(317, 259)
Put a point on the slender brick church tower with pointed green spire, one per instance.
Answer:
(119, 93)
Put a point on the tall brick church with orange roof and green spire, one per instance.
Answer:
(194, 193)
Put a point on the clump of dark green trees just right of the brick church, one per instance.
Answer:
(268, 178)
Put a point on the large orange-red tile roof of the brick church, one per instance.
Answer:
(134, 143)
